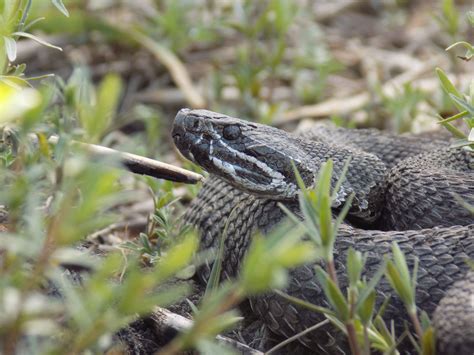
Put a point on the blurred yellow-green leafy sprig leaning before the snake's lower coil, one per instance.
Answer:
(264, 267)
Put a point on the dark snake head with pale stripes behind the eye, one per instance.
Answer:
(250, 156)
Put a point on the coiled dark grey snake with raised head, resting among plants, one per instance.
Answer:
(408, 189)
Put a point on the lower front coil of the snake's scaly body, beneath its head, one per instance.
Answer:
(442, 254)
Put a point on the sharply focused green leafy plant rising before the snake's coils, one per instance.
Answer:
(353, 310)
